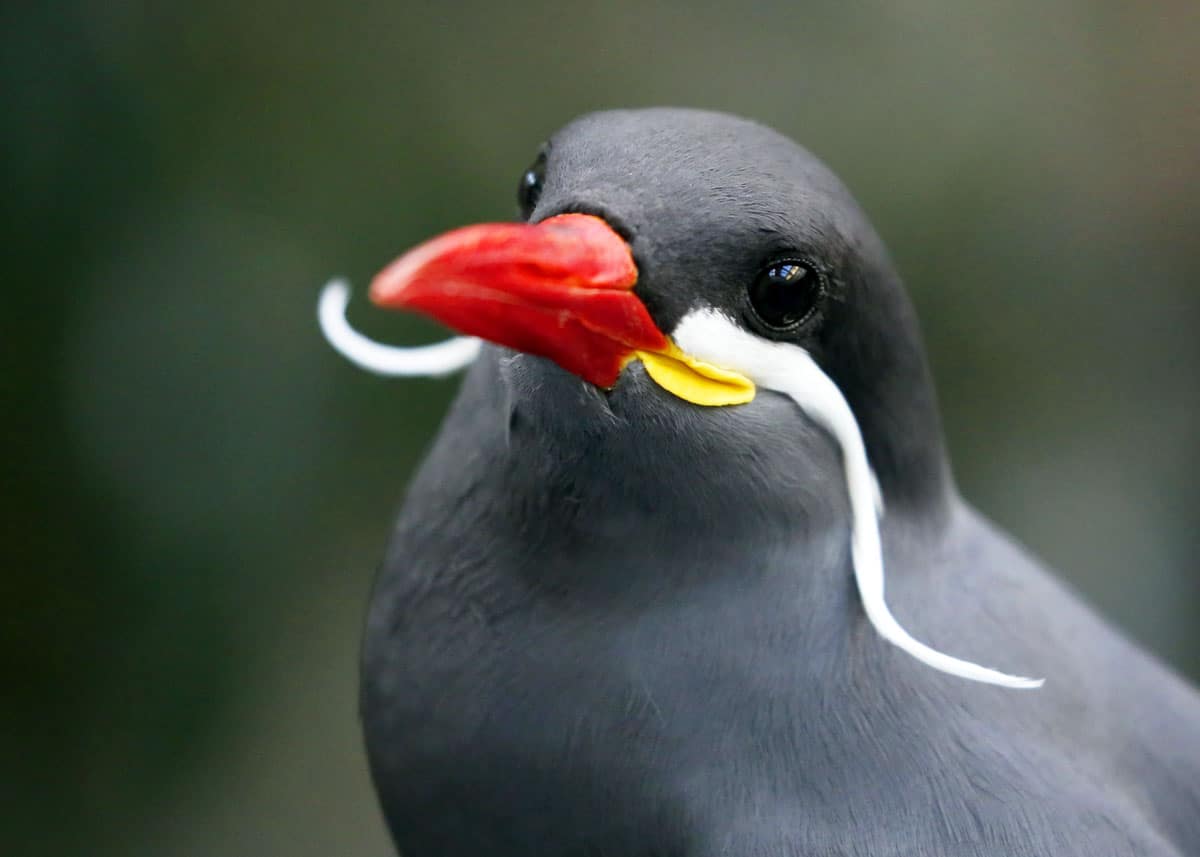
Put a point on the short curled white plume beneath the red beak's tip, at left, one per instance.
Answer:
(431, 362)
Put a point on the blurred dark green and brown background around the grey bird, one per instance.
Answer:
(199, 489)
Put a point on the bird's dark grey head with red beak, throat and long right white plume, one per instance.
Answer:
(699, 277)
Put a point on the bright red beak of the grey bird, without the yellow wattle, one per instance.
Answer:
(561, 290)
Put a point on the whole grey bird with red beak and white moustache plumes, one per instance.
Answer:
(634, 600)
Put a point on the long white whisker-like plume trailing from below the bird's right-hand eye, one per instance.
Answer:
(788, 369)
